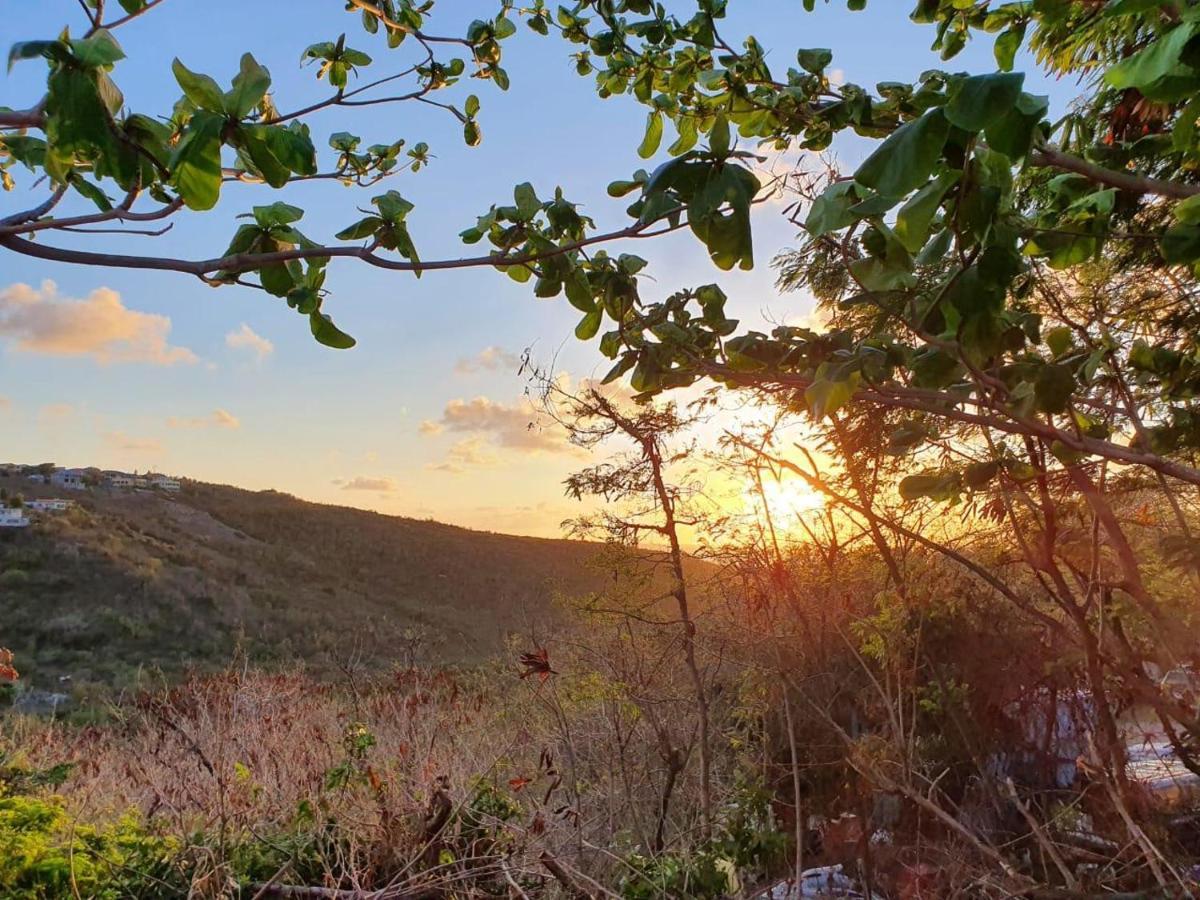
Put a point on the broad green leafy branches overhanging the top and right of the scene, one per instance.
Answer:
(933, 257)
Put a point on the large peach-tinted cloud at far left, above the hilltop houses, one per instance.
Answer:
(100, 327)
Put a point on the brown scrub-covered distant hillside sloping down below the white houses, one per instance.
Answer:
(140, 579)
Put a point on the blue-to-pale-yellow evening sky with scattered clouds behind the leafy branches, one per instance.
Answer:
(428, 416)
